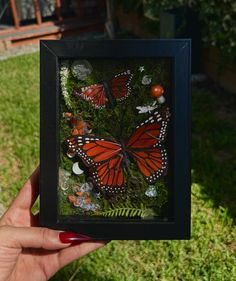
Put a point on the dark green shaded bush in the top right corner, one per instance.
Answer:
(218, 19)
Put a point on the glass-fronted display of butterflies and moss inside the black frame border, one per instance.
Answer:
(115, 158)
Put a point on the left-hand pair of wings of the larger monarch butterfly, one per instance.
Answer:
(104, 159)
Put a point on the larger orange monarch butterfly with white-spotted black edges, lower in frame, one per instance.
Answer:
(106, 159)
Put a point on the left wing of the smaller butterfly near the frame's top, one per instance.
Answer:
(94, 93)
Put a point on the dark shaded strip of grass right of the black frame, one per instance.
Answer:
(213, 145)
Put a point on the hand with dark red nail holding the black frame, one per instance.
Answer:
(28, 252)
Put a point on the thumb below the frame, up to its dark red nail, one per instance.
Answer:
(31, 237)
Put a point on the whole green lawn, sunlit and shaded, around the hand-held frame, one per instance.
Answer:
(209, 255)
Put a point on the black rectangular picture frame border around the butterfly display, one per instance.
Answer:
(179, 51)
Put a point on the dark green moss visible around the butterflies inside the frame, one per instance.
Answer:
(116, 123)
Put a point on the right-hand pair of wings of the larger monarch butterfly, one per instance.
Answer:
(145, 146)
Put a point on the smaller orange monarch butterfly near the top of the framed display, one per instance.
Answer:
(107, 92)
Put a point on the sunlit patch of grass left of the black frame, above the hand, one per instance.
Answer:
(19, 119)
